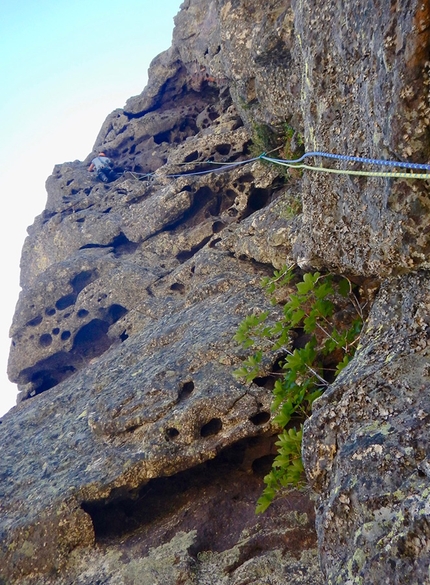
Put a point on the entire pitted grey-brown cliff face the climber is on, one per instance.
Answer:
(135, 456)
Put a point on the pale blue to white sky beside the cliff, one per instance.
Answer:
(64, 66)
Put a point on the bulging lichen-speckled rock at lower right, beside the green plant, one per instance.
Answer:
(366, 447)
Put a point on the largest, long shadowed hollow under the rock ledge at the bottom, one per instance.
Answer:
(223, 497)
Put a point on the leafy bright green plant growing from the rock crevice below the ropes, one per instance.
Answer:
(324, 346)
